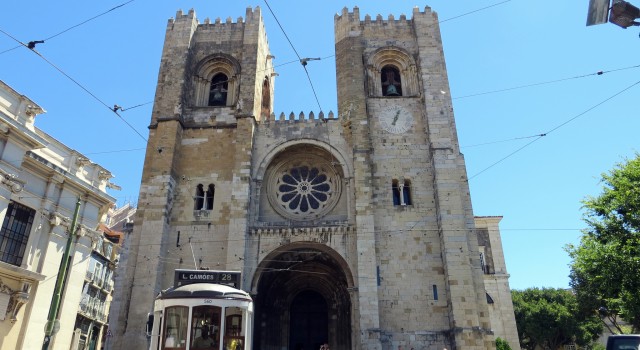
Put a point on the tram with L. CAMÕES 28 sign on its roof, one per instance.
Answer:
(204, 310)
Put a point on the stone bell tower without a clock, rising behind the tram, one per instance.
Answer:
(214, 84)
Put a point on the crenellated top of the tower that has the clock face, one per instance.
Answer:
(348, 23)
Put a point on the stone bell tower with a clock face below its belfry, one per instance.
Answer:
(412, 203)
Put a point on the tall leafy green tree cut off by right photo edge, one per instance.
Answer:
(605, 272)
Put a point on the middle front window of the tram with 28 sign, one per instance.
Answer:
(205, 327)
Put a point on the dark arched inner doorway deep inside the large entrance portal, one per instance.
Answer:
(309, 322)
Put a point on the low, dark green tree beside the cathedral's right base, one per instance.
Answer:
(550, 317)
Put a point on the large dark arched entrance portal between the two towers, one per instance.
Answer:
(302, 300)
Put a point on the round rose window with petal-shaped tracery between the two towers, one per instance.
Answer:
(303, 190)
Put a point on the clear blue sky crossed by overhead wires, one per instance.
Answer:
(538, 189)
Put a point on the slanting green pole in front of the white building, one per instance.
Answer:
(53, 324)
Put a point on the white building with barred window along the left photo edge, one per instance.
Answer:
(40, 182)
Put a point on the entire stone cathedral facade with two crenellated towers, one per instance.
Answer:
(353, 228)
